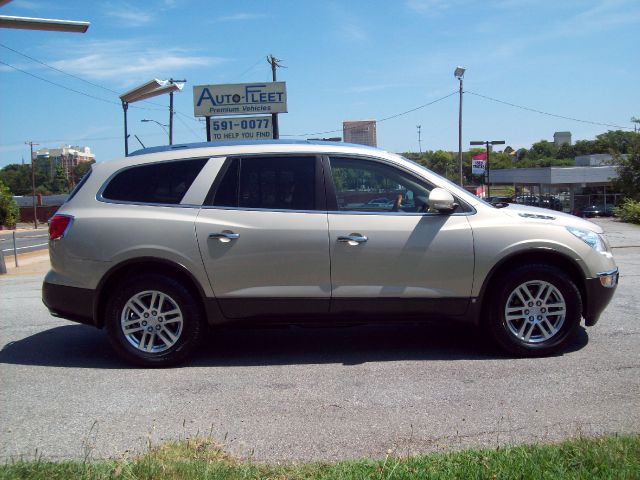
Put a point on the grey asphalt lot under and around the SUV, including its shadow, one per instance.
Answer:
(322, 394)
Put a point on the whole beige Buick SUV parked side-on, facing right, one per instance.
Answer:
(157, 246)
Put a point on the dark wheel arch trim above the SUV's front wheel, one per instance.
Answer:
(533, 256)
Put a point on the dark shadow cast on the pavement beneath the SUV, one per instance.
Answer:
(81, 346)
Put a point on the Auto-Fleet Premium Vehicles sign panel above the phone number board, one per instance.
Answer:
(239, 99)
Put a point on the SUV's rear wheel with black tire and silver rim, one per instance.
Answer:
(186, 334)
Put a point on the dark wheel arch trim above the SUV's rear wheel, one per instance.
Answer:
(130, 268)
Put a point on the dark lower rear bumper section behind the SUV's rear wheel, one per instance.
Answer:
(71, 303)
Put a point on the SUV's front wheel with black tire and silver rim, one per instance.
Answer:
(538, 320)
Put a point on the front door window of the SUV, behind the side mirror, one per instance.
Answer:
(369, 186)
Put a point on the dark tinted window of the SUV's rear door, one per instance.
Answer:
(275, 183)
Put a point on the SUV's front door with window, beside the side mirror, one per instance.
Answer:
(388, 254)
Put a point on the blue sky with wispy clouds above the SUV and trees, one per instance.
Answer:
(345, 60)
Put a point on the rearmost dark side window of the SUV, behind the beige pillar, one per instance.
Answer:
(163, 183)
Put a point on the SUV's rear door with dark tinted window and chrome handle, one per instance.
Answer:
(263, 238)
